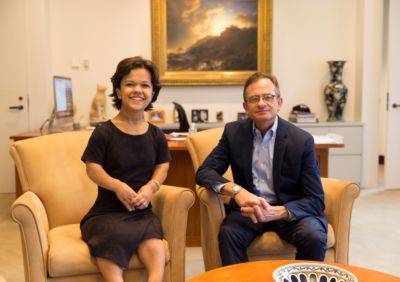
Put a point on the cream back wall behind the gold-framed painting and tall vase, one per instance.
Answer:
(306, 34)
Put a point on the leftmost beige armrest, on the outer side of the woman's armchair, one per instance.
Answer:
(28, 211)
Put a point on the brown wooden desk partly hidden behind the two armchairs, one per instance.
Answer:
(181, 173)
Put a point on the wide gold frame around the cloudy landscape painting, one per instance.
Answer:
(208, 77)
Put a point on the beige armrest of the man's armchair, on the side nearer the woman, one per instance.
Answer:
(212, 213)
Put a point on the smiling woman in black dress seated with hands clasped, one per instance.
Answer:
(128, 159)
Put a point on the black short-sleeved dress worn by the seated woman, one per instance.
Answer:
(110, 230)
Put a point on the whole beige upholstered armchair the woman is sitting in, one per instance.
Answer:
(58, 193)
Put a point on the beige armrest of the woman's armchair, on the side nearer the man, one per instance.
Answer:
(171, 204)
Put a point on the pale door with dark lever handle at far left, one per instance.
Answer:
(13, 84)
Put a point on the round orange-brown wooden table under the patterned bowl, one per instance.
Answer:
(262, 271)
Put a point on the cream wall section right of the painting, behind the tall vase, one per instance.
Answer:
(305, 35)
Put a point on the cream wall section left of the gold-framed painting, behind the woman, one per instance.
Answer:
(101, 32)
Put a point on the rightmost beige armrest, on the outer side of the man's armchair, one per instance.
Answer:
(339, 199)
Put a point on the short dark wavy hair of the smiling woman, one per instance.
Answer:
(124, 68)
